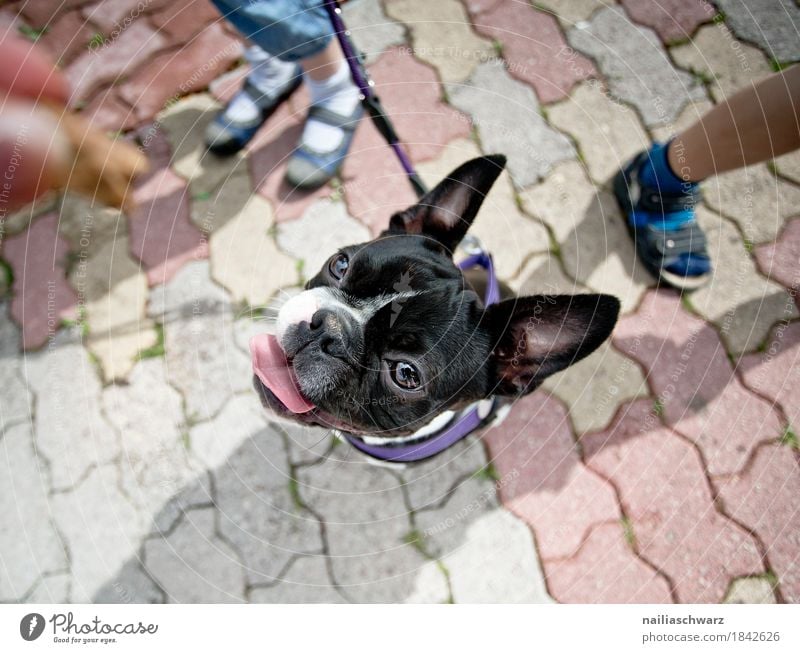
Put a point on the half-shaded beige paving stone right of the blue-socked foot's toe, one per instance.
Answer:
(739, 300)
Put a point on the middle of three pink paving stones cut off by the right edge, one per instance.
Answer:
(776, 372)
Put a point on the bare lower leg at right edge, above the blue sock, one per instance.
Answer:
(756, 124)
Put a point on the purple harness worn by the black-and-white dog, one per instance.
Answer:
(479, 414)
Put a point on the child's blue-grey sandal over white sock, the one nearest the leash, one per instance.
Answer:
(307, 168)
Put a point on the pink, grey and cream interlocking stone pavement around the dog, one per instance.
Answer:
(136, 463)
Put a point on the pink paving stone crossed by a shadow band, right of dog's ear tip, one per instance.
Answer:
(691, 375)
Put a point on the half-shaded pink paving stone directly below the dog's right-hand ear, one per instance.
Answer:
(542, 479)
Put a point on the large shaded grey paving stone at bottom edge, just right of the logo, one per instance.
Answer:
(194, 565)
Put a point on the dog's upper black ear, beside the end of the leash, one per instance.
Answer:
(446, 212)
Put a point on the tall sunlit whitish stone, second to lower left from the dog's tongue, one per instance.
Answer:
(147, 411)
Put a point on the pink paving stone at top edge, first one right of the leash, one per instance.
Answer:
(534, 48)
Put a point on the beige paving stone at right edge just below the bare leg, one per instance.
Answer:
(758, 202)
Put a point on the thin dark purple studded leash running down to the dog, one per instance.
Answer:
(369, 99)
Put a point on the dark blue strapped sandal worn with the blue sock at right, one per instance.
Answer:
(674, 252)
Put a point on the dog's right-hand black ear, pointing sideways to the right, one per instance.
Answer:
(536, 336)
